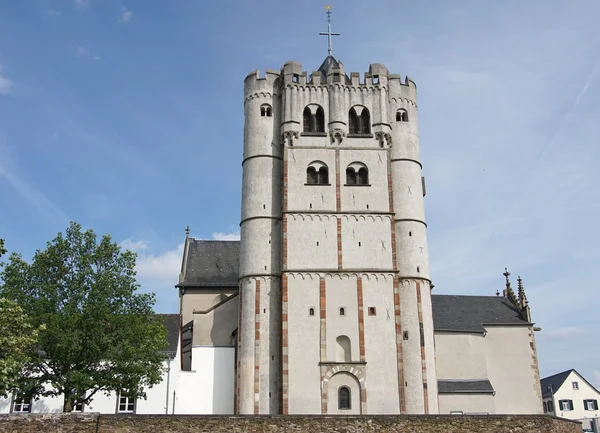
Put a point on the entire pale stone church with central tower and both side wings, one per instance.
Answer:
(325, 305)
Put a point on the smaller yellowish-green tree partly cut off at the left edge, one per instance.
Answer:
(17, 342)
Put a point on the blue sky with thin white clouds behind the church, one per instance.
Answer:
(127, 116)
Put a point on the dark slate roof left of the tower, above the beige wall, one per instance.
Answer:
(212, 264)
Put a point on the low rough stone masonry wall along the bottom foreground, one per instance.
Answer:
(95, 423)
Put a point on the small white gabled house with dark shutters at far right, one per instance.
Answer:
(569, 395)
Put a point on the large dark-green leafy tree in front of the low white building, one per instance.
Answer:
(100, 334)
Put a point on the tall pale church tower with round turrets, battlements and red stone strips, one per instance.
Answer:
(335, 303)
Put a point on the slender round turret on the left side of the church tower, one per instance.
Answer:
(260, 255)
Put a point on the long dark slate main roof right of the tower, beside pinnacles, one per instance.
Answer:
(471, 313)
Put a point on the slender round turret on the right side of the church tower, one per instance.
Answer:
(420, 381)
